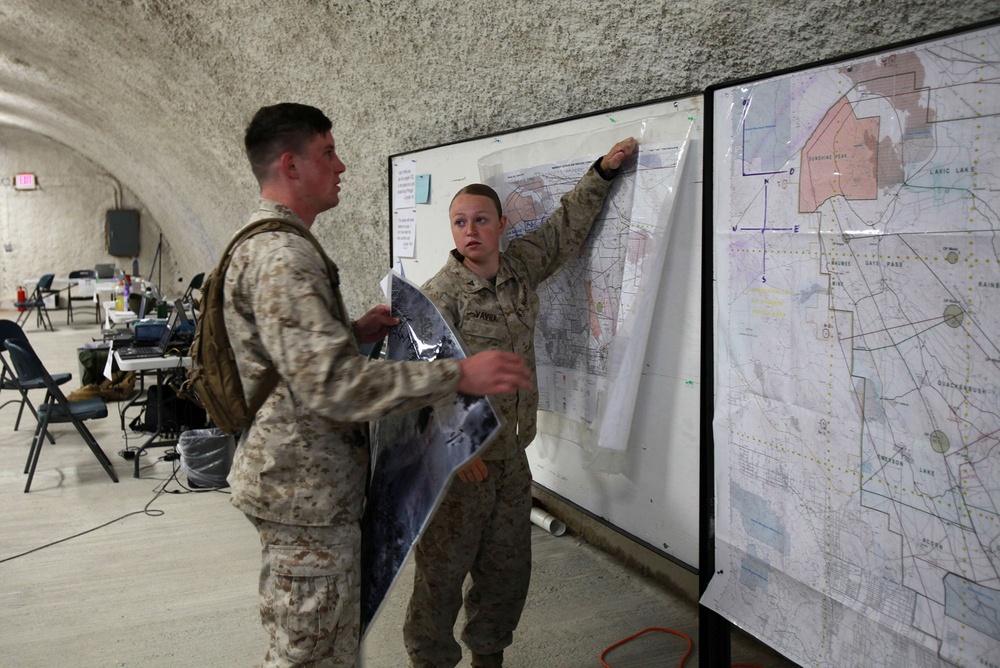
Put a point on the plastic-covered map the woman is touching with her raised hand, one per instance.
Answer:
(594, 315)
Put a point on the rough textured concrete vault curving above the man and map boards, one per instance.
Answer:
(157, 93)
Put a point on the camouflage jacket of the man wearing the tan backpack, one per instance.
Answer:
(304, 459)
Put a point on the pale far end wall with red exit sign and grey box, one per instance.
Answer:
(60, 226)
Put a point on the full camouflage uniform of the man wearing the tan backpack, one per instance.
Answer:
(299, 473)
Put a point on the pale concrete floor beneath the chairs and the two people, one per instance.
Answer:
(145, 573)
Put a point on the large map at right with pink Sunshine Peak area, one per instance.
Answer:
(857, 424)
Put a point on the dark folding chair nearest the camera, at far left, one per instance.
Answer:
(56, 409)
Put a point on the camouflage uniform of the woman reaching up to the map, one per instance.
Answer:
(483, 528)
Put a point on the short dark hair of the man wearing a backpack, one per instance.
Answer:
(279, 128)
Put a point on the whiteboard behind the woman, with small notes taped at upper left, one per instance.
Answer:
(654, 499)
